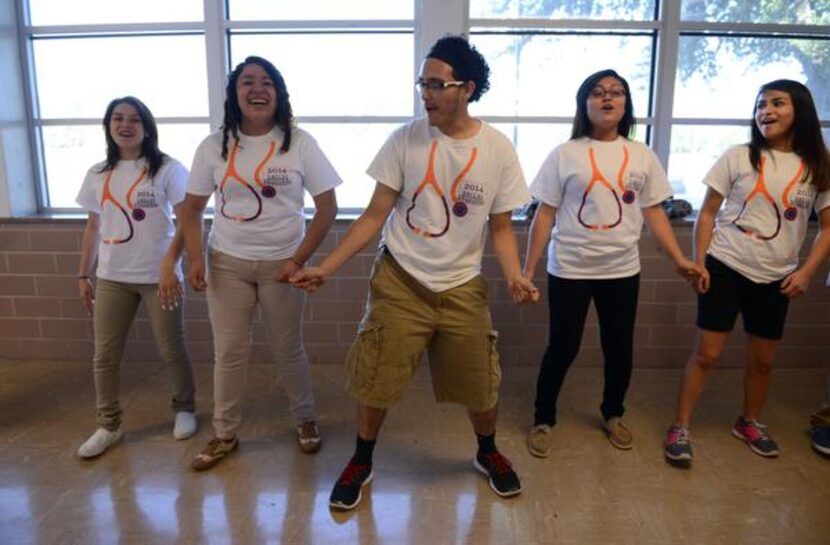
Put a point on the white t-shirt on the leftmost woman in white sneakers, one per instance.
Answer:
(136, 217)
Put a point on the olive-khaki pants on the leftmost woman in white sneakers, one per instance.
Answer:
(115, 306)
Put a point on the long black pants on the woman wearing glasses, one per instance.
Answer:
(568, 301)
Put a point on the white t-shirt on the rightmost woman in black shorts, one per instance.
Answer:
(758, 238)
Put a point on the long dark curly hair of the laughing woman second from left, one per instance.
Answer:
(283, 116)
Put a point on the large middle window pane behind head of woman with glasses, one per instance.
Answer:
(539, 75)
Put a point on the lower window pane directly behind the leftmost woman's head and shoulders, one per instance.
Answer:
(70, 151)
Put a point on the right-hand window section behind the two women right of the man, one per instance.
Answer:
(692, 103)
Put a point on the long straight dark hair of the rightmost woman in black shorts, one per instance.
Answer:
(808, 142)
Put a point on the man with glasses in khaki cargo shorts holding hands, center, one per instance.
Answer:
(440, 181)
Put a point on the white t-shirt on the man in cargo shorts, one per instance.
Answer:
(448, 188)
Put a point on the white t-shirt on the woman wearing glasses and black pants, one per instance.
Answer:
(598, 188)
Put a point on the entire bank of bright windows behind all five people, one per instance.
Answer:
(693, 65)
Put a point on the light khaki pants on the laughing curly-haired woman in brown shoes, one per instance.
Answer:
(235, 288)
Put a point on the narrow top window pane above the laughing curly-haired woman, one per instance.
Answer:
(289, 10)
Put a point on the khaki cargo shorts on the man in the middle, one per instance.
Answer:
(402, 320)
